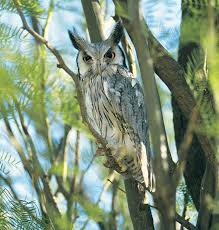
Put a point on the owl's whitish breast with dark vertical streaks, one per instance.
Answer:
(100, 110)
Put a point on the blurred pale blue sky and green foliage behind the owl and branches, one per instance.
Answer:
(40, 124)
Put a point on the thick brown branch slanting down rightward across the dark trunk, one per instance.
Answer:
(172, 74)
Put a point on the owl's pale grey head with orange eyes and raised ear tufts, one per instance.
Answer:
(94, 58)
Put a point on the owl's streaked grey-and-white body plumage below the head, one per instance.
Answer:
(115, 106)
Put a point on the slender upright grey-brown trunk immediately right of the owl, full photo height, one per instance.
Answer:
(165, 198)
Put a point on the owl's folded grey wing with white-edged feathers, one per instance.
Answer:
(127, 98)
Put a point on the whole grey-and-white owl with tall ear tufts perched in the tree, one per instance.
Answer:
(115, 104)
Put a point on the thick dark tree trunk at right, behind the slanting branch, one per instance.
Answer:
(199, 173)
